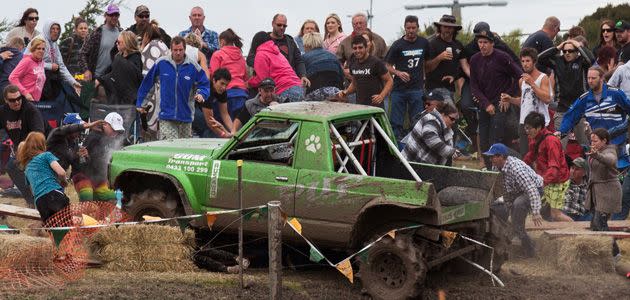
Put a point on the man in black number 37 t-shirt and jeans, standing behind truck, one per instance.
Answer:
(405, 60)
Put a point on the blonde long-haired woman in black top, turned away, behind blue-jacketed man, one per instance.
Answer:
(122, 79)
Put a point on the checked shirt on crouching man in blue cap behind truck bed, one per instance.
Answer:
(520, 178)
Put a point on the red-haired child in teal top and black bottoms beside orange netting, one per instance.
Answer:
(44, 173)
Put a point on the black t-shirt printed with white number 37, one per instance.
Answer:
(409, 57)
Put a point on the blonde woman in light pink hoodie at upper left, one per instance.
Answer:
(29, 74)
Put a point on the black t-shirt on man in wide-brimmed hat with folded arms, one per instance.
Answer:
(446, 67)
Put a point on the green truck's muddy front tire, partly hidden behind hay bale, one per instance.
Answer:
(153, 202)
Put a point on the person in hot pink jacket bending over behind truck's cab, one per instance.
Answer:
(269, 62)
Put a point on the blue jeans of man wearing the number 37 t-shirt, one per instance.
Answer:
(405, 101)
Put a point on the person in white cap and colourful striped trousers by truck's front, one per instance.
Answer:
(104, 138)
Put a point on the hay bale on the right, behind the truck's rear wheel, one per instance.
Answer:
(579, 254)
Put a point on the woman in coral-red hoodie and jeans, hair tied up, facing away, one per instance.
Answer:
(230, 57)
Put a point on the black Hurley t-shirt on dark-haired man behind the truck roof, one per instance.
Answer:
(367, 77)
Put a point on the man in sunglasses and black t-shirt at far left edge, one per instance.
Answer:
(19, 117)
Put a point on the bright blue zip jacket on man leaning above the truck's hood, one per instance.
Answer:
(178, 83)
